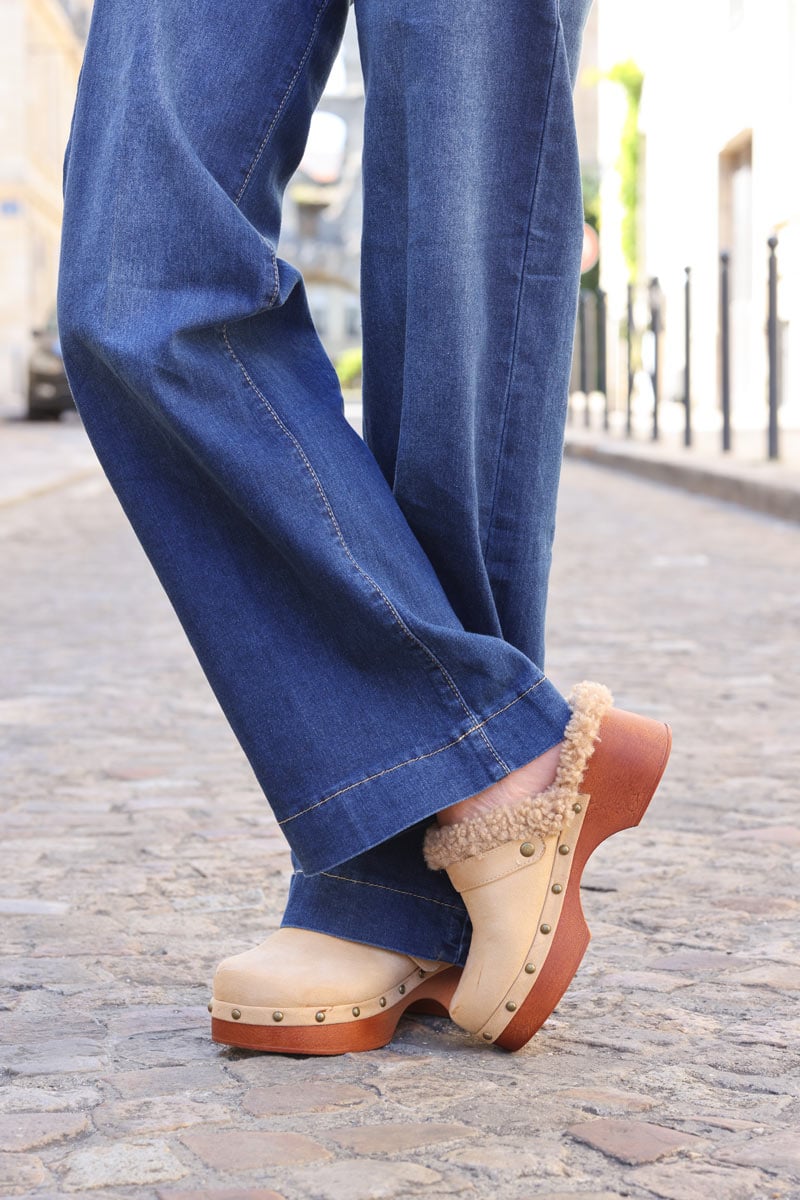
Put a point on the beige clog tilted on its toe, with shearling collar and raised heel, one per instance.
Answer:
(519, 868)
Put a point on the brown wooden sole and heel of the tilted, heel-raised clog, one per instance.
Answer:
(622, 779)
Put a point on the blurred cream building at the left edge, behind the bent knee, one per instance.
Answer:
(40, 61)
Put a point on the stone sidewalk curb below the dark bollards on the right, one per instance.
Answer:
(775, 500)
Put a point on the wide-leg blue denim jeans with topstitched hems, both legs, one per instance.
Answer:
(369, 611)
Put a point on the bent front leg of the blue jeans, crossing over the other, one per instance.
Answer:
(362, 701)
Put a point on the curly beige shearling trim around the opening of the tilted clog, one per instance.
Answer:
(543, 814)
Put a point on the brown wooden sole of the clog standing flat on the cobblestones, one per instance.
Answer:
(432, 997)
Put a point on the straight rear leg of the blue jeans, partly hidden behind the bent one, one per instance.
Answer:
(471, 268)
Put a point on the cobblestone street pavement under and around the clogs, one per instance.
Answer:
(137, 853)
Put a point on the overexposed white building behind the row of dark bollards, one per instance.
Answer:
(719, 112)
